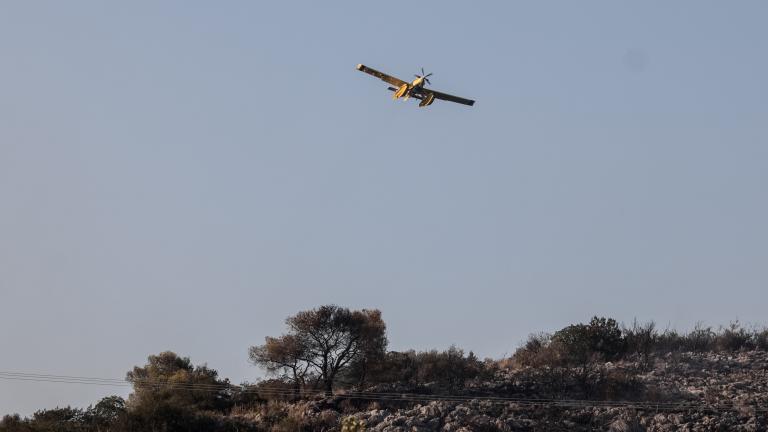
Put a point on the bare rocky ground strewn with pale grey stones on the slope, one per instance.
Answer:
(680, 392)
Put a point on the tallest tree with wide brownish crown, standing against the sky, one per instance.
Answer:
(323, 343)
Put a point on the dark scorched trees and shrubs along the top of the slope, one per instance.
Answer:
(329, 354)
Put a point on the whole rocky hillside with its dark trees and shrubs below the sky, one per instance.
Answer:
(330, 371)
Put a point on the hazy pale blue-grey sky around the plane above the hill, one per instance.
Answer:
(185, 175)
